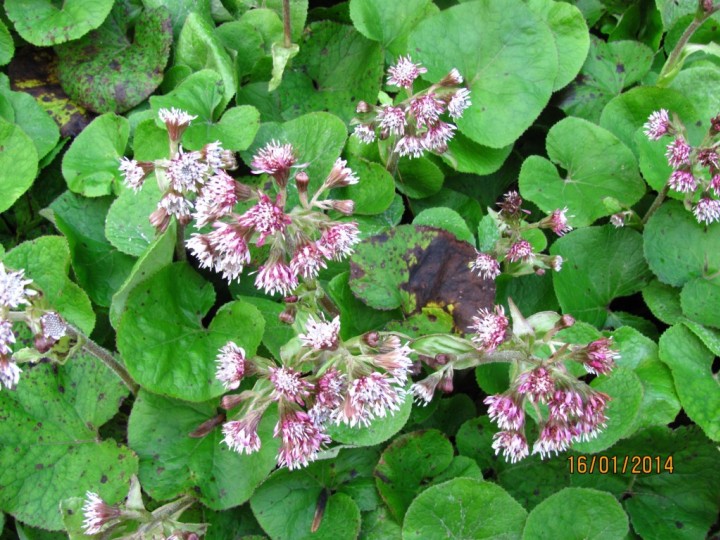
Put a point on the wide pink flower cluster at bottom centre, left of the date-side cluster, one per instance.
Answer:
(369, 386)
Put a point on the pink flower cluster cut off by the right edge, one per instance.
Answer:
(696, 170)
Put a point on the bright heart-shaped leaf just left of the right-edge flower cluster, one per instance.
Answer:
(598, 165)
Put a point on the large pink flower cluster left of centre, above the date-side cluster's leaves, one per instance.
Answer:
(301, 242)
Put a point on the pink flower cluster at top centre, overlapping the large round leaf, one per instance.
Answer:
(416, 123)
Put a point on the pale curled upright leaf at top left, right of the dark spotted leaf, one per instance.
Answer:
(199, 48)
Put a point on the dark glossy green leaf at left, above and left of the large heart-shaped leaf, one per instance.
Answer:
(99, 267)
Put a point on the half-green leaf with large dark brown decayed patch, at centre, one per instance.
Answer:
(414, 266)
